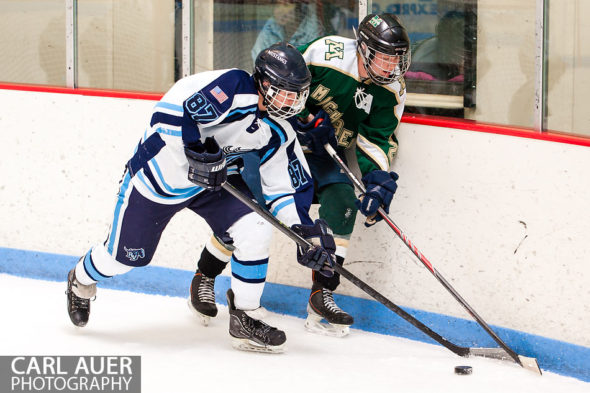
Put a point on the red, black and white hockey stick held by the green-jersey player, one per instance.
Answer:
(526, 362)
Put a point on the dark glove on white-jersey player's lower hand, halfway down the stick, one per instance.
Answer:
(319, 257)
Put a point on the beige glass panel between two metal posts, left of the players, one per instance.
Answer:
(126, 44)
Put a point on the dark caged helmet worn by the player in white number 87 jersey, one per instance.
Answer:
(283, 79)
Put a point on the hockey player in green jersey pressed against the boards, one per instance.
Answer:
(357, 94)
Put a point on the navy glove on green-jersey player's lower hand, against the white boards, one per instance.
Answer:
(381, 186)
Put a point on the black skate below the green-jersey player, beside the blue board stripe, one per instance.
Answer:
(321, 306)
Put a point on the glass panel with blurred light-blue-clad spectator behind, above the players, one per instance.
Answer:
(238, 25)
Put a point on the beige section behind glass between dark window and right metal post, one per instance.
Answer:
(505, 63)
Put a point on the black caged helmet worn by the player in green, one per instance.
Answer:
(384, 34)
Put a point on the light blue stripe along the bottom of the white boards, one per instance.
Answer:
(553, 355)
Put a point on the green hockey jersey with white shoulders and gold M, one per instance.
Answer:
(361, 111)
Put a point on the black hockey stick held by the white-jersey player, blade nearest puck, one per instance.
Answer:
(496, 353)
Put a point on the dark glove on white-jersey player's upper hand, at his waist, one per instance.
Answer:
(206, 164)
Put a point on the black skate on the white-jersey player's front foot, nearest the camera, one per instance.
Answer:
(251, 334)
